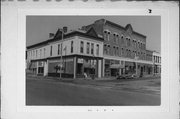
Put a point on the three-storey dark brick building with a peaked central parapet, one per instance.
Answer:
(124, 49)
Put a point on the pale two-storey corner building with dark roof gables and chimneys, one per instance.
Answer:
(78, 53)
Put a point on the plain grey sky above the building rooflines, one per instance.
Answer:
(39, 27)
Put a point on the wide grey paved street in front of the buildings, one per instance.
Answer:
(92, 92)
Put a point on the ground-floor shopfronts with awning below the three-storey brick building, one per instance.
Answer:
(113, 68)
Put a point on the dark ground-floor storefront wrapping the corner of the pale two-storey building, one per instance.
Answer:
(75, 67)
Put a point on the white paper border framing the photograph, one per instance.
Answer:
(13, 55)
